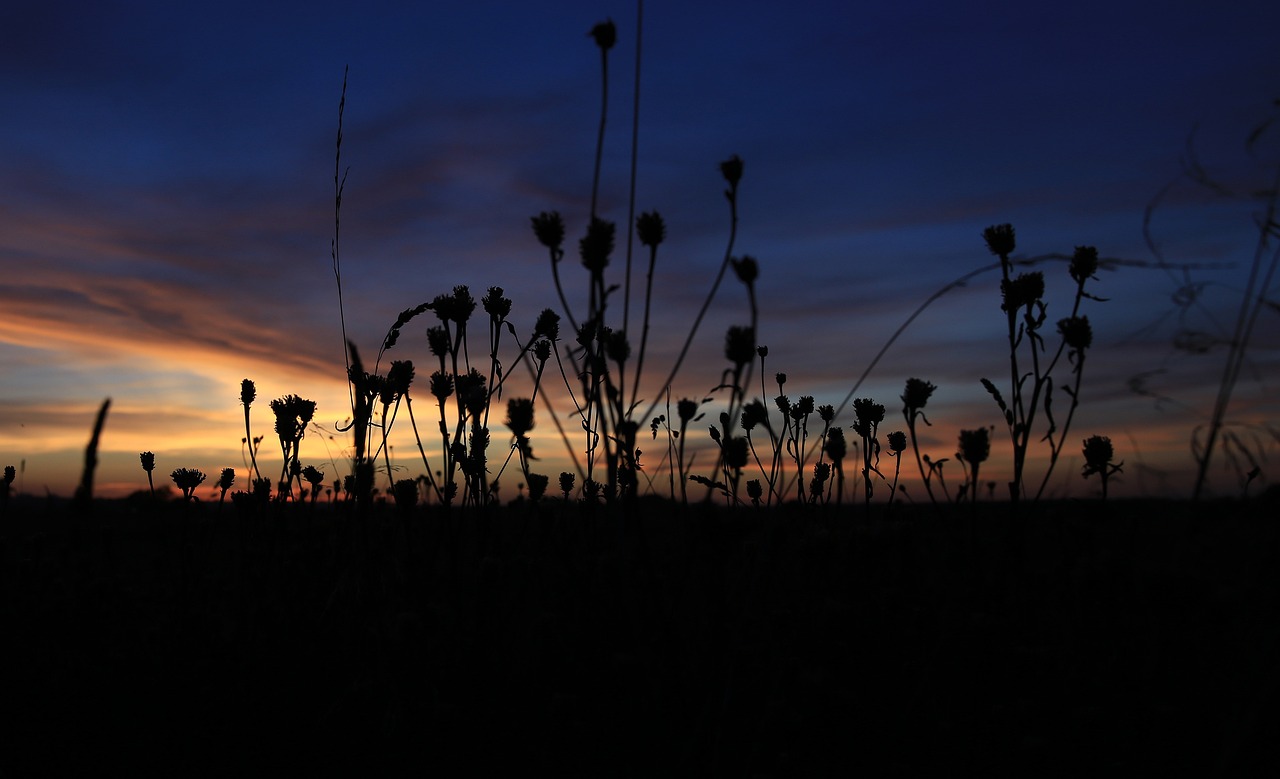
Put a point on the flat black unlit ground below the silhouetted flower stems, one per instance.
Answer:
(1081, 639)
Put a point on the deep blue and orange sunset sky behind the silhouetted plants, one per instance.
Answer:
(167, 204)
